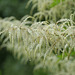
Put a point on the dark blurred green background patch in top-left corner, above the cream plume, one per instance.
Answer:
(14, 8)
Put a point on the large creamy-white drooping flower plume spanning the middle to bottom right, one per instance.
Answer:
(42, 43)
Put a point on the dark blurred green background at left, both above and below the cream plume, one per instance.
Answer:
(8, 64)
